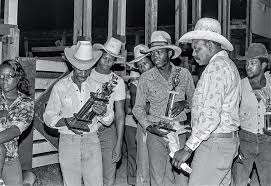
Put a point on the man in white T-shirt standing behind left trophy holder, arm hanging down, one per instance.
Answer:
(110, 139)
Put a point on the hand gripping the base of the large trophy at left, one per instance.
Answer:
(78, 125)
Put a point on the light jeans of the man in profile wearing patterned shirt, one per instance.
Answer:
(212, 162)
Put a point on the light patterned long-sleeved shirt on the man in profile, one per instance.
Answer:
(215, 105)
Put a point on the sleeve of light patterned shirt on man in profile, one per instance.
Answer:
(209, 99)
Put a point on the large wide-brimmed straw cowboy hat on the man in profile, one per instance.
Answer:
(207, 29)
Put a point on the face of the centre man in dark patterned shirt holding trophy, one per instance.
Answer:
(160, 57)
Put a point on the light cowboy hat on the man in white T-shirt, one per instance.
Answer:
(112, 47)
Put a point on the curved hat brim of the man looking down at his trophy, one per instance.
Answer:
(81, 64)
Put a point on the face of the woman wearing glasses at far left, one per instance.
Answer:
(8, 79)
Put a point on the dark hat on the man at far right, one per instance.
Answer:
(254, 51)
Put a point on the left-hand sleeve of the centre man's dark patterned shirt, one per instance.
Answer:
(140, 104)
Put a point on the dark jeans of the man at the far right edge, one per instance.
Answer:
(255, 148)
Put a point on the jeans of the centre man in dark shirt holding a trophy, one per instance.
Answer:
(161, 170)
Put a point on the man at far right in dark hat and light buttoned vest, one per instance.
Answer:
(255, 144)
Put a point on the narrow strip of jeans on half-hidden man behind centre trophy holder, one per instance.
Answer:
(142, 161)
